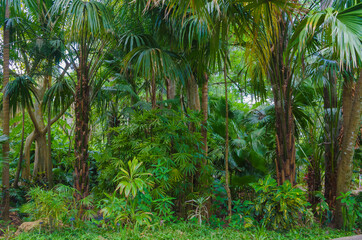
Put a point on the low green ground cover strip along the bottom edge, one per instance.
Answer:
(184, 230)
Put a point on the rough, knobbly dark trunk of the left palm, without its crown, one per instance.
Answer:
(81, 169)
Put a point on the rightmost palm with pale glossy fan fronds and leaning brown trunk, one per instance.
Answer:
(343, 35)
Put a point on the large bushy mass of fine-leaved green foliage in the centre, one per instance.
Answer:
(162, 141)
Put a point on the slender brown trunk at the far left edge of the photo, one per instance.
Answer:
(6, 131)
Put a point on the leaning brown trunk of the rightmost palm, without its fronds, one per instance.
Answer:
(351, 122)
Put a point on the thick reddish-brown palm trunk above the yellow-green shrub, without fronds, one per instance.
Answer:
(281, 80)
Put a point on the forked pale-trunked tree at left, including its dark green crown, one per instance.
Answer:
(37, 44)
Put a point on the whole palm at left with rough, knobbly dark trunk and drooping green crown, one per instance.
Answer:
(88, 34)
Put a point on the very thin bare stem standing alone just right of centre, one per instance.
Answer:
(227, 177)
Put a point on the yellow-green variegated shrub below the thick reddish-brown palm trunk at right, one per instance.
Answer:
(278, 206)
